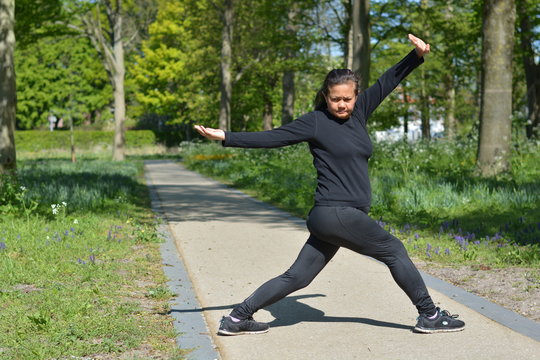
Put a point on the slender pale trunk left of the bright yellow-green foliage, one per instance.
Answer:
(118, 86)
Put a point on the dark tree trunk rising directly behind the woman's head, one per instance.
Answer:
(361, 38)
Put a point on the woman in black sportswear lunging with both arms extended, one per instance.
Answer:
(339, 142)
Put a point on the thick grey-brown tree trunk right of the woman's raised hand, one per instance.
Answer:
(496, 108)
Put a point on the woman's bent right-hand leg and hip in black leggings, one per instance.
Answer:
(354, 229)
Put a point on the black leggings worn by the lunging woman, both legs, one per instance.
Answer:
(331, 228)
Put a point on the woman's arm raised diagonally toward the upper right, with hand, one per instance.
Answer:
(375, 94)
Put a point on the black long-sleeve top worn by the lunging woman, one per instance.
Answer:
(340, 147)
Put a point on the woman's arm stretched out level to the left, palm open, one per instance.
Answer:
(302, 129)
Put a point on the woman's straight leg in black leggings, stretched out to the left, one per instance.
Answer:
(312, 259)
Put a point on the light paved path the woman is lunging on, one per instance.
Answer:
(230, 244)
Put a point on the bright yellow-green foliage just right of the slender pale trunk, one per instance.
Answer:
(176, 71)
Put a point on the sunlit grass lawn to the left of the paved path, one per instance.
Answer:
(80, 268)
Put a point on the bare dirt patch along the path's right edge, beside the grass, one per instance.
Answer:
(517, 289)
